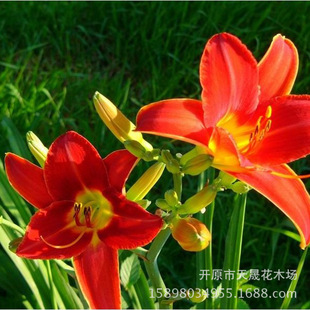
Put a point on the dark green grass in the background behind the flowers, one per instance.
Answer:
(54, 56)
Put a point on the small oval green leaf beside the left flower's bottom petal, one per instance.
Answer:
(130, 271)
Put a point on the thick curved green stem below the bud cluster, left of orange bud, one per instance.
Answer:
(152, 267)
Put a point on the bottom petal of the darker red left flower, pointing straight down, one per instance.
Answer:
(97, 273)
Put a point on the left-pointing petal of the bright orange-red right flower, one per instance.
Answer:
(180, 119)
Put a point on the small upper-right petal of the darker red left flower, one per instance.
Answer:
(119, 164)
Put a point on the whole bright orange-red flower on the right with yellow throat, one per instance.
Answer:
(246, 120)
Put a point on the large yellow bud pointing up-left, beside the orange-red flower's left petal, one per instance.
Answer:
(117, 122)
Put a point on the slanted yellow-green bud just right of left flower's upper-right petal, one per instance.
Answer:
(145, 183)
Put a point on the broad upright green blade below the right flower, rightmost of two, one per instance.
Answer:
(233, 253)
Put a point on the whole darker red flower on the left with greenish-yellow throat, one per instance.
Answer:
(82, 213)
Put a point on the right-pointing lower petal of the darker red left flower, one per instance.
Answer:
(131, 226)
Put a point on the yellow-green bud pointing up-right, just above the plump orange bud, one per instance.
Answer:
(199, 201)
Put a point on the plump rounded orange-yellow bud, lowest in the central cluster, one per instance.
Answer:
(191, 234)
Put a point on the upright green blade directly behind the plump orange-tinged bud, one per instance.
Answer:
(204, 258)
